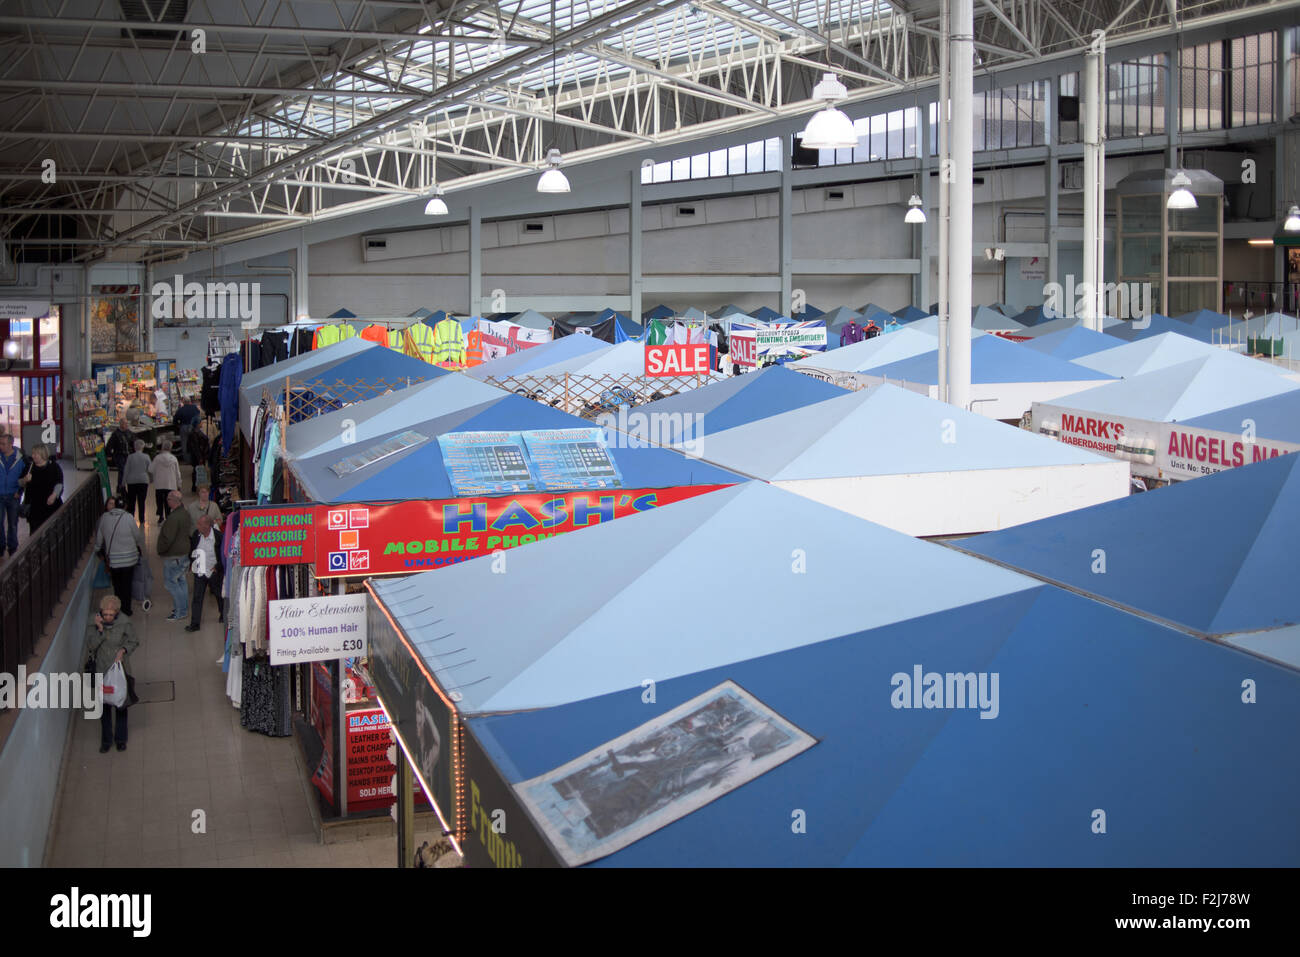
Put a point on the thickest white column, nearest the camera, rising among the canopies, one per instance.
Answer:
(963, 194)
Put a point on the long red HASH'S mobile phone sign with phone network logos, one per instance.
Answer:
(415, 536)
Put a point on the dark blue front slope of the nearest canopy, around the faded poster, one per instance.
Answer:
(1143, 721)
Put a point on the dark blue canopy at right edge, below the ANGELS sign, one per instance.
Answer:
(1214, 555)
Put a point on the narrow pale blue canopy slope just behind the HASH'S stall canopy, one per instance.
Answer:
(366, 422)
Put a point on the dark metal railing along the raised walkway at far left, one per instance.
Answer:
(33, 582)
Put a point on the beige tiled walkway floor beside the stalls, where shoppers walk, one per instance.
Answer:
(142, 807)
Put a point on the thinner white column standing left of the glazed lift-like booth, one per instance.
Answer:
(1094, 179)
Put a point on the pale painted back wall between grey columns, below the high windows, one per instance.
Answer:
(587, 253)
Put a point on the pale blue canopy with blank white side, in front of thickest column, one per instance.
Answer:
(916, 465)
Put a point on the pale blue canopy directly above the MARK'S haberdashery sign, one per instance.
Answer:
(1182, 392)
